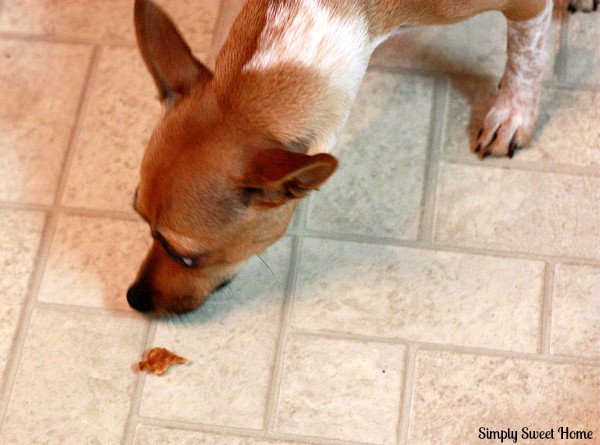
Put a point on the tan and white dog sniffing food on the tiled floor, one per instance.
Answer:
(236, 149)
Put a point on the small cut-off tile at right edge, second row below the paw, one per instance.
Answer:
(576, 311)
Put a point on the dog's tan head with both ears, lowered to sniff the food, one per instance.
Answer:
(214, 188)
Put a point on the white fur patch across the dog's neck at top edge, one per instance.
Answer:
(304, 32)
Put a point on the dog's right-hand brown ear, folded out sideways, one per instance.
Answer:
(276, 175)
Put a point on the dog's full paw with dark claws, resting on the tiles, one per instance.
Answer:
(508, 126)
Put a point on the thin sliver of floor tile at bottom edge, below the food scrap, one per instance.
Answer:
(149, 435)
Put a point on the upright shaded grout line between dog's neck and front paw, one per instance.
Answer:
(439, 111)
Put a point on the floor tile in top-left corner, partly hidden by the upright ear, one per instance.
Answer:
(106, 21)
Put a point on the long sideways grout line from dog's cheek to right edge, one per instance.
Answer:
(438, 247)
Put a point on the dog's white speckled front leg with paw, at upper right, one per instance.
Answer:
(510, 123)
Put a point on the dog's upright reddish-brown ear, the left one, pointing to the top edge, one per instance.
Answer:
(167, 56)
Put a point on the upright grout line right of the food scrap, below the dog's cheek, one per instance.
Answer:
(285, 319)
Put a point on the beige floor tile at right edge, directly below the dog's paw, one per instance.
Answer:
(518, 210)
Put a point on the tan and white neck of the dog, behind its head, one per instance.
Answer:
(303, 70)
